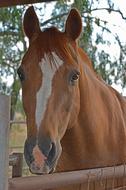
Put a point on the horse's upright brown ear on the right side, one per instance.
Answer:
(73, 24)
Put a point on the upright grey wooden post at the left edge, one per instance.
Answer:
(4, 136)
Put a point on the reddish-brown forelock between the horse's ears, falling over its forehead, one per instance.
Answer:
(53, 40)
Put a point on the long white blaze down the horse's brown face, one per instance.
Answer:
(45, 90)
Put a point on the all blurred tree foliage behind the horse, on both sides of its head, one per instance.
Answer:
(13, 44)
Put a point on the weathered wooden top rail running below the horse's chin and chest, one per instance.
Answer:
(67, 178)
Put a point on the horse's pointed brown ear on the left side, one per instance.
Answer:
(31, 23)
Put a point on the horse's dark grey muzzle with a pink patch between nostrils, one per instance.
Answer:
(42, 157)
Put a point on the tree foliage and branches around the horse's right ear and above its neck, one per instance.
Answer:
(112, 70)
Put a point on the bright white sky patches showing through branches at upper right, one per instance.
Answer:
(117, 25)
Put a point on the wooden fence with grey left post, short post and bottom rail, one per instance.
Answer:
(102, 178)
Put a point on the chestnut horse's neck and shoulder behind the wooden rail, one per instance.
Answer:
(99, 136)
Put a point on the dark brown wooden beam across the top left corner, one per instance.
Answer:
(8, 3)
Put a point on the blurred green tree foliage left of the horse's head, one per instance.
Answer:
(11, 36)
